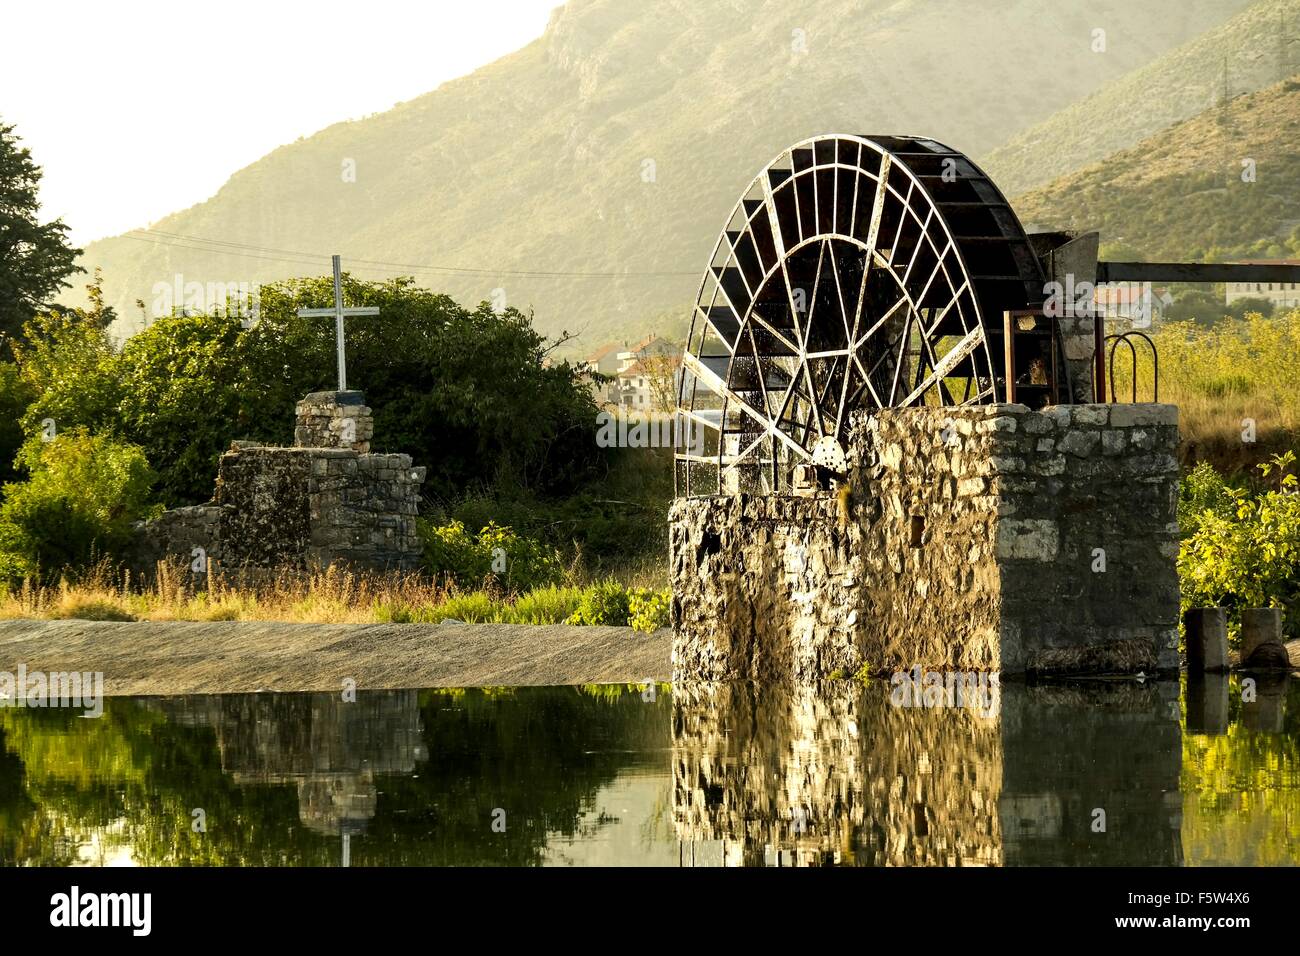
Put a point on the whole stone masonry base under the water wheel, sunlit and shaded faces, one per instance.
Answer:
(965, 542)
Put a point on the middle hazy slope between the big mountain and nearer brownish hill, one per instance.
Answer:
(1258, 47)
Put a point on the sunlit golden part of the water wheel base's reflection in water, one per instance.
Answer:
(834, 776)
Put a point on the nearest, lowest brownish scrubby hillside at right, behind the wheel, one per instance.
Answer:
(1178, 194)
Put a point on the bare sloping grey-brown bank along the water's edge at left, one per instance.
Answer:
(236, 657)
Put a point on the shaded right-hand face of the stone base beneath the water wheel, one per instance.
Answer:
(1089, 550)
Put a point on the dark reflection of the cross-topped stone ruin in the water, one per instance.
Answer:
(330, 749)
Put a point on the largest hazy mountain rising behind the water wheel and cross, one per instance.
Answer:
(617, 144)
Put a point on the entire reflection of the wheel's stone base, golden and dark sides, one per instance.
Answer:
(842, 776)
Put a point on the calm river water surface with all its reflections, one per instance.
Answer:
(1107, 773)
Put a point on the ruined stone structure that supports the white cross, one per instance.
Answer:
(300, 508)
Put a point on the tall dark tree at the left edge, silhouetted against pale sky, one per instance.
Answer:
(36, 259)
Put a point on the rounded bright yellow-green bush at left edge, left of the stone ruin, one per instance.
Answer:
(83, 496)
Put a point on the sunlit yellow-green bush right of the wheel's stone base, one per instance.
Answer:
(1245, 555)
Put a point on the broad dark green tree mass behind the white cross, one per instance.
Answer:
(470, 393)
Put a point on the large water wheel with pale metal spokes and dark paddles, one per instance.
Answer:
(853, 274)
